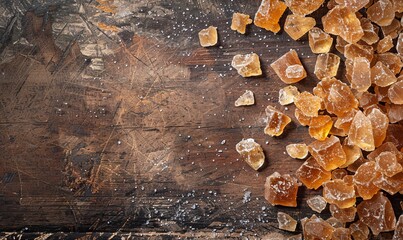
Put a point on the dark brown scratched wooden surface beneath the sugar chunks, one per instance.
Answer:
(132, 133)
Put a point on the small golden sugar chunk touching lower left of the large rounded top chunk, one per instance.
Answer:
(319, 41)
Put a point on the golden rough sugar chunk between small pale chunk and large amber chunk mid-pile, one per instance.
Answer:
(308, 104)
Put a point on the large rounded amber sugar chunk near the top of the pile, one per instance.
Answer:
(343, 22)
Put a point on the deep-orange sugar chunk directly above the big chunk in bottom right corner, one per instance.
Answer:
(364, 180)
